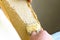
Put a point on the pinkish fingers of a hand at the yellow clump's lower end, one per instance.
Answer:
(42, 35)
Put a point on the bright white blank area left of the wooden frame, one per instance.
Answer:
(7, 31)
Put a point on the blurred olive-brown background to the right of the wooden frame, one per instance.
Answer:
(48, 12)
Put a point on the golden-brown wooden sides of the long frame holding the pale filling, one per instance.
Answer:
(16, 20)
